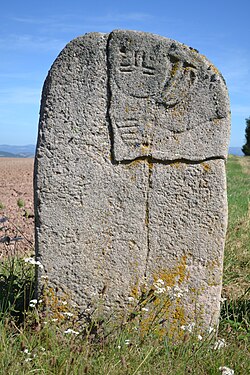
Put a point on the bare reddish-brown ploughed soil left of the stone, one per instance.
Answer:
(16, 204)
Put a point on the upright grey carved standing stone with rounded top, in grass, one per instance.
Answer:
(130, 172)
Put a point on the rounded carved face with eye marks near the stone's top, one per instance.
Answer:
(151, 70)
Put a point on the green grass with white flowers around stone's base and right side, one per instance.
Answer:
(47, 338)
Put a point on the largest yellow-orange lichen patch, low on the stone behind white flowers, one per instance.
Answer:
(160, 309)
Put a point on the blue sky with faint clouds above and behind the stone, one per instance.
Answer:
(32, 33)
